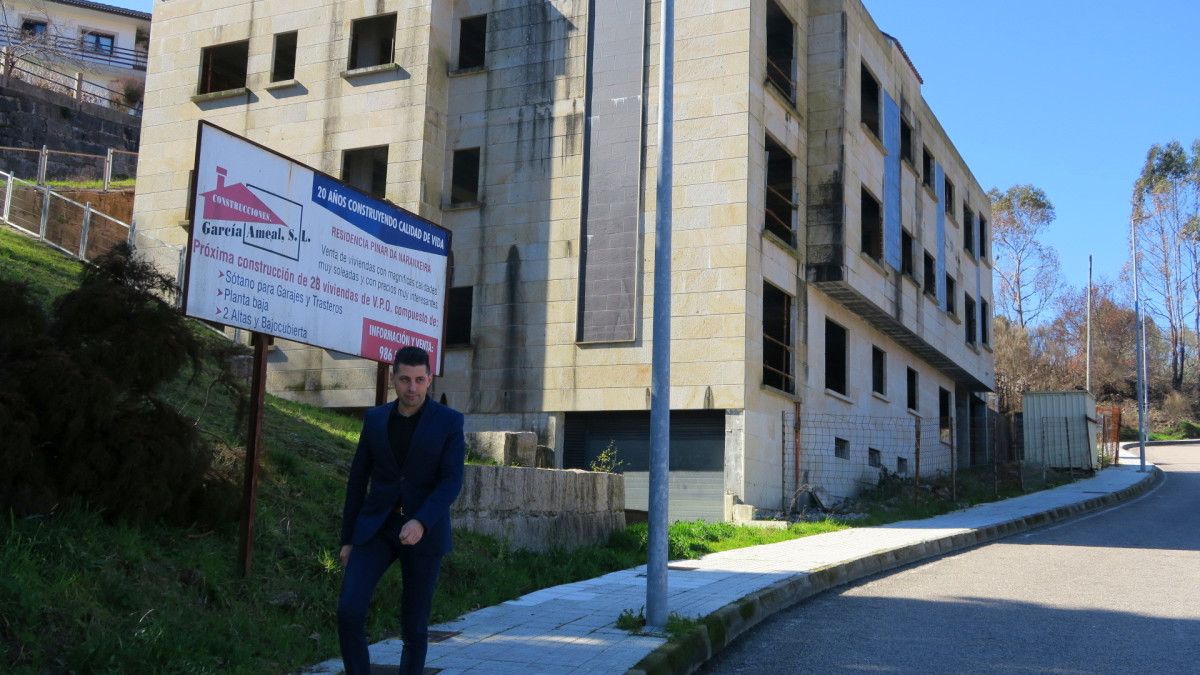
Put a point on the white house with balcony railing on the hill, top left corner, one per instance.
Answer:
(92, 51)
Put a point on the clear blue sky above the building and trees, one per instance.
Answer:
(1065, 94)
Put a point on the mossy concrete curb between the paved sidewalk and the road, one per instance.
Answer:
(722, 628)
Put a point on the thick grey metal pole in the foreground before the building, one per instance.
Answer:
(661, 355)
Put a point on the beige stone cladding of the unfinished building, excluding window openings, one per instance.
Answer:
(523, 246)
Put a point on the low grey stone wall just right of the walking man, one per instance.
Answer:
(541, 509)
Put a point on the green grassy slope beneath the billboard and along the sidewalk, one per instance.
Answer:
(79, 594)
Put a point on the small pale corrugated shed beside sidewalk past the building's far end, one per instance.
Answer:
(1061, 429)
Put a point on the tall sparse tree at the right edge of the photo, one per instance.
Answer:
(1166, 210)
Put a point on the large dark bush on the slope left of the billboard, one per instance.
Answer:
(79, 411)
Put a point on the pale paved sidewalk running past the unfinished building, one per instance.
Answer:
(571, 629)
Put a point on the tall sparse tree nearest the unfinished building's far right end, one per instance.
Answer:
(1030, 278)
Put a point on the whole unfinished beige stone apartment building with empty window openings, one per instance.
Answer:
(832, 260)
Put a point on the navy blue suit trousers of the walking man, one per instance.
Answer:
(368, 564)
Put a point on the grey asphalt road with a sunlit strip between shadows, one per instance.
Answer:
(1114, 592)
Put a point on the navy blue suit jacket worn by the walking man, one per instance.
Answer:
(425, 487)
